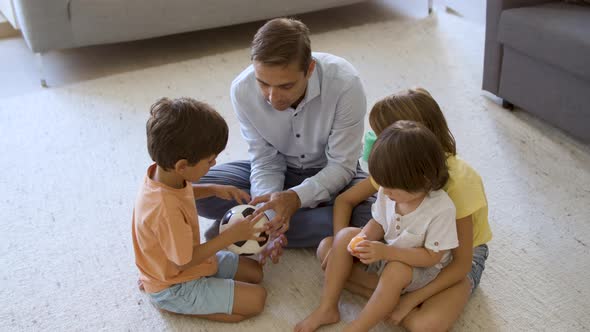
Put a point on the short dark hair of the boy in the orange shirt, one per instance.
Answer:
(184, 128)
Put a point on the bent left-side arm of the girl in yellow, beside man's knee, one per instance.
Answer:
(348, 200)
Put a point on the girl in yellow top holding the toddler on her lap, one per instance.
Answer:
(437, 305)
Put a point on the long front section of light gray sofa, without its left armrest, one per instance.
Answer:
(108, 21)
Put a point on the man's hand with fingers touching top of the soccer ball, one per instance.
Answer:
(284, 204)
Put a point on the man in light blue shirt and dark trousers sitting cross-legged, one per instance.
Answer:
(302, 115)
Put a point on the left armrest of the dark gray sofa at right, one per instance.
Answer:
(492, 63)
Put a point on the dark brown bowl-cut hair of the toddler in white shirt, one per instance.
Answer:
(409, 157)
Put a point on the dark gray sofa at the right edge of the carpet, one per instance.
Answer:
(537, 57)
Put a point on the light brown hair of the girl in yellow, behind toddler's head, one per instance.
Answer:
(415, 105)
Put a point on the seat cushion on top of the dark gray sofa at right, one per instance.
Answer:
(556, 33)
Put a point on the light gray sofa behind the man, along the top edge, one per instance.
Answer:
(59, 24)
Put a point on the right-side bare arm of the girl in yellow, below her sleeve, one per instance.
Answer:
(455, 272)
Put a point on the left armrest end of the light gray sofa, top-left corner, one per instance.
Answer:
(45, 24)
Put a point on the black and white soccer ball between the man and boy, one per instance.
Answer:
(248, 247)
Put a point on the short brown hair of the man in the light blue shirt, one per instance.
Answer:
(282, 41)
